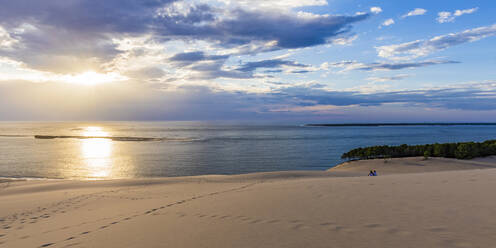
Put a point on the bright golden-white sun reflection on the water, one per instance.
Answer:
(97, 152)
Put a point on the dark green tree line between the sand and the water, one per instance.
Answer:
(461, 150)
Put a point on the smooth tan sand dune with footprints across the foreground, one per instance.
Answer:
(412, 203)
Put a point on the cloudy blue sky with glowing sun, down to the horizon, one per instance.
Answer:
(331, 61)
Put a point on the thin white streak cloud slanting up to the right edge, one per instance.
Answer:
(420, 48)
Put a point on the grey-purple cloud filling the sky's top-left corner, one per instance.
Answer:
(87, 16)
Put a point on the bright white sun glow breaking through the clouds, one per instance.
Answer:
(93, 78)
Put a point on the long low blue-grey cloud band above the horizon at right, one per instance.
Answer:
(472, 96)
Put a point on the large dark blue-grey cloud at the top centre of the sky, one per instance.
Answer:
(288, 31)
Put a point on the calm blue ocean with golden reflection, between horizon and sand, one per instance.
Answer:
(111, 150)
